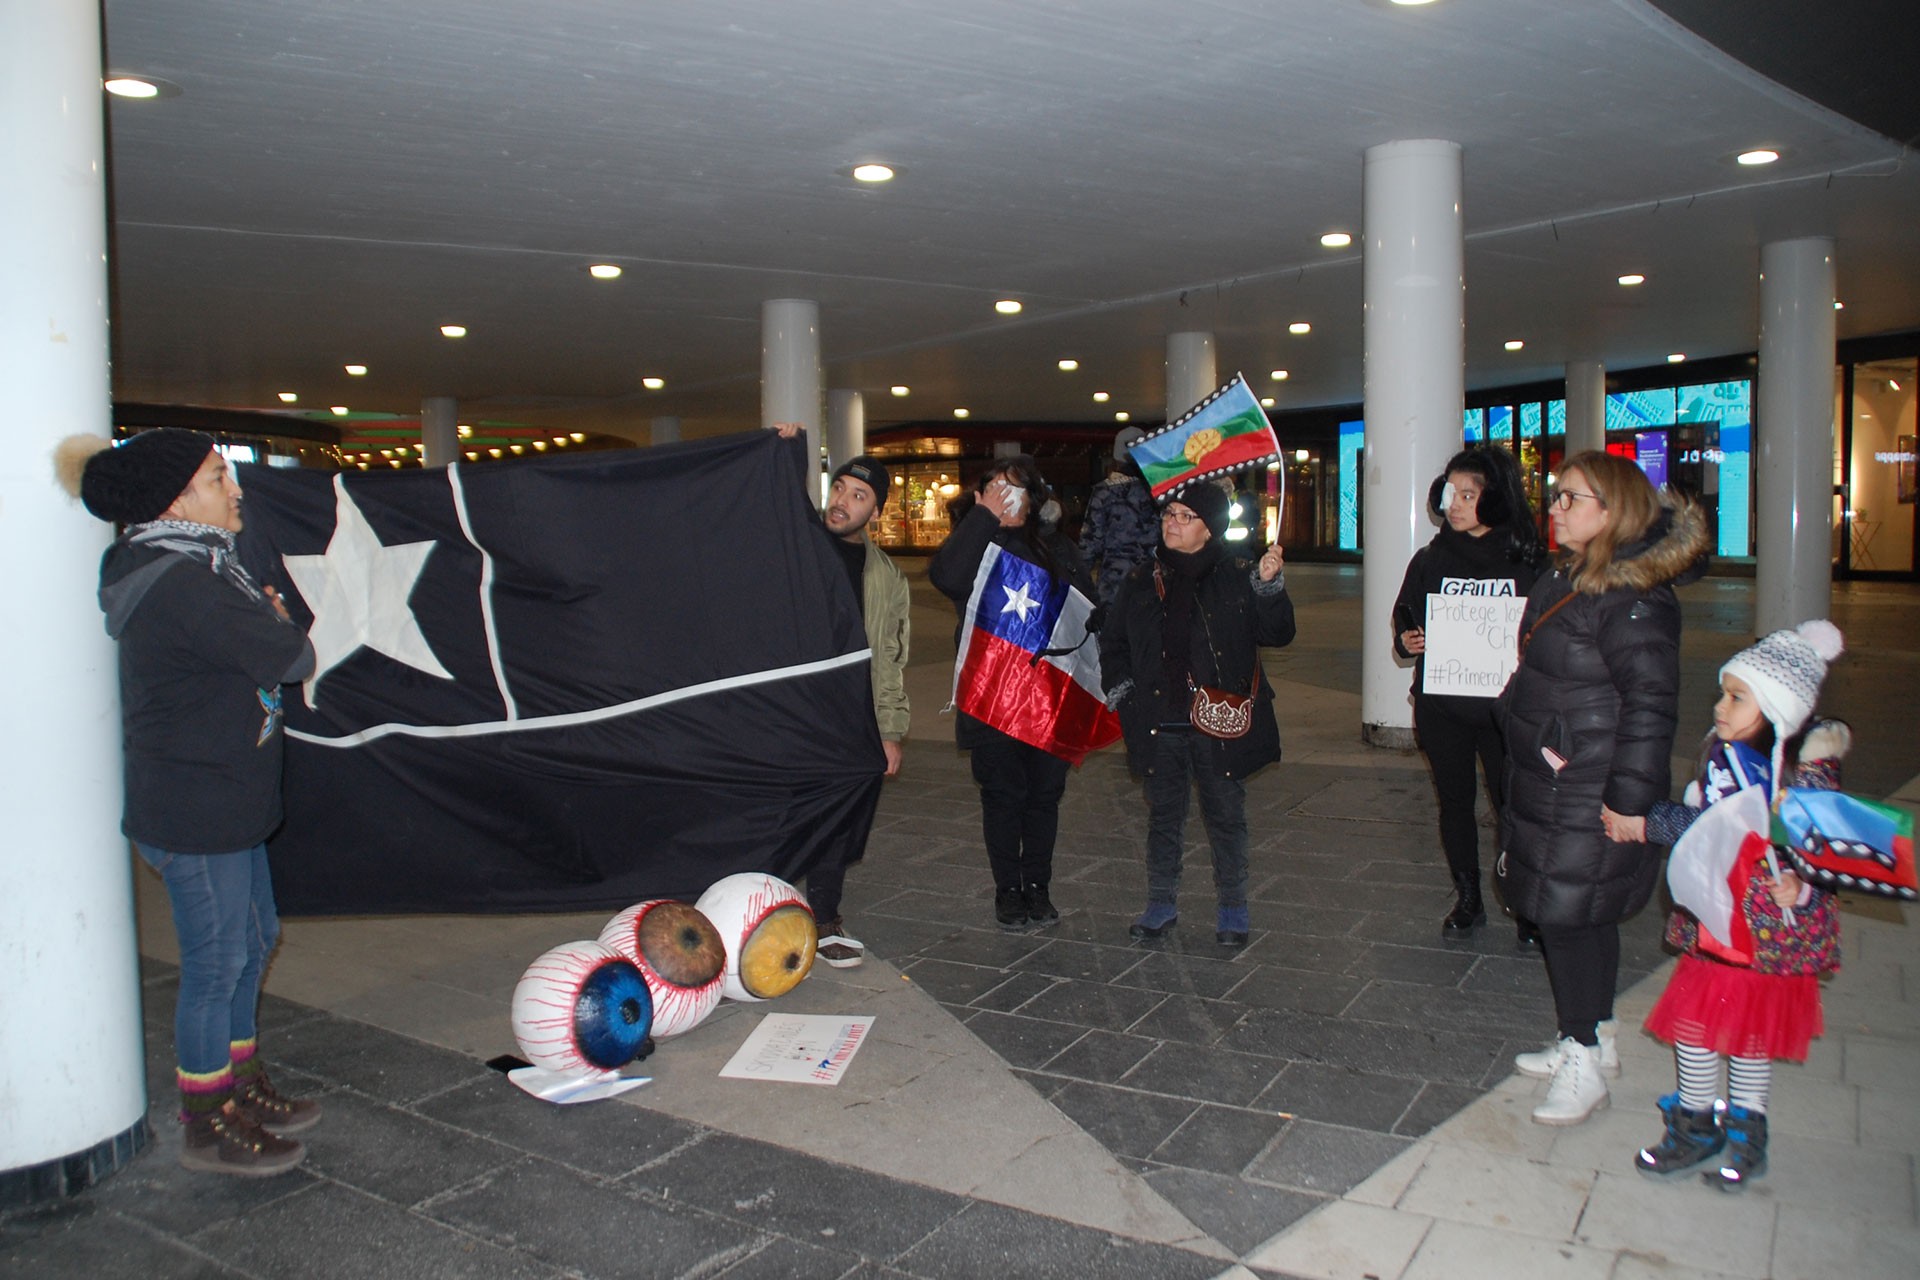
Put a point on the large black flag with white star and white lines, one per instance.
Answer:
(564, 684)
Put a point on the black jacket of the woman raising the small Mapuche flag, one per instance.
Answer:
(1241, 613)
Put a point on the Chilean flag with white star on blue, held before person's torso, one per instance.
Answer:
(1053, 701)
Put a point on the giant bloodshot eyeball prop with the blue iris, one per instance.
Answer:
(583, 1008)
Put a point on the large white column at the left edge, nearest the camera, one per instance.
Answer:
(74, 1072)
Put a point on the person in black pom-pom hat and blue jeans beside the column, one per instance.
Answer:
(203, 657)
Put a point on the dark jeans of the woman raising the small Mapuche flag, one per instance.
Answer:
(1182, 763)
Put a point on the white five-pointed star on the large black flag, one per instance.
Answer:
(358, 594)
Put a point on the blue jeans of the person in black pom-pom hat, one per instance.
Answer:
(228, 926)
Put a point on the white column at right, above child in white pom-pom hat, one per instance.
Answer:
(1794, 437)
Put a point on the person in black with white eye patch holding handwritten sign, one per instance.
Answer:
(1487, 546)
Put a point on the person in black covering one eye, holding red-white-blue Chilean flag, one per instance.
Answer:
(1020, 786)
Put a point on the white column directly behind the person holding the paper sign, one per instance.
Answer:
(1416, 323)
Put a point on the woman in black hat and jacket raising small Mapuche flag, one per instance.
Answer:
(1186, 628)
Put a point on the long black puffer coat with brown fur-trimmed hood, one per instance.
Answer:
(1598, 686)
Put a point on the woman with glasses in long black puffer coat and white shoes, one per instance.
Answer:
(1591, 728)
